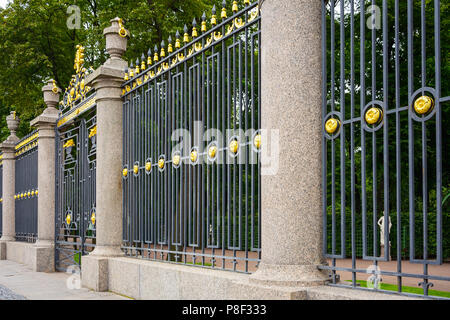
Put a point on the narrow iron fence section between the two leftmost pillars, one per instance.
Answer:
(26, 188)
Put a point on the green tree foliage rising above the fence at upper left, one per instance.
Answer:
(37, 45)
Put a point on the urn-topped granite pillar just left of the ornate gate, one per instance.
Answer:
(44, 260)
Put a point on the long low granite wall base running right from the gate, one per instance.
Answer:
(143, 279)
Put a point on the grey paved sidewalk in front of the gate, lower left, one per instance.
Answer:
(19, 282)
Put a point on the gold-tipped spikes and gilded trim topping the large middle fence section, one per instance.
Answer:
(160, 61)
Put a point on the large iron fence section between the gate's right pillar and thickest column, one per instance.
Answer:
(191, 194)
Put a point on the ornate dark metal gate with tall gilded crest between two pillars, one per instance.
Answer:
(75, 171)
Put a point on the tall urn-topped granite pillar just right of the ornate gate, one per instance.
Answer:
(107, 81)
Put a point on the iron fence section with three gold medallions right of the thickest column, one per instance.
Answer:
(385, 105)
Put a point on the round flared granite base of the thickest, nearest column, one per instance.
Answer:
(289, 275)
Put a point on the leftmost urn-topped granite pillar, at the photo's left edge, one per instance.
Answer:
(9, 178)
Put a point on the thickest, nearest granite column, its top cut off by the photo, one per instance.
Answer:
(292, 103)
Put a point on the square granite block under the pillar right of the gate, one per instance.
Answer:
(94, 273)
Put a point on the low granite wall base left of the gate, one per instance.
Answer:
(40, 259)
